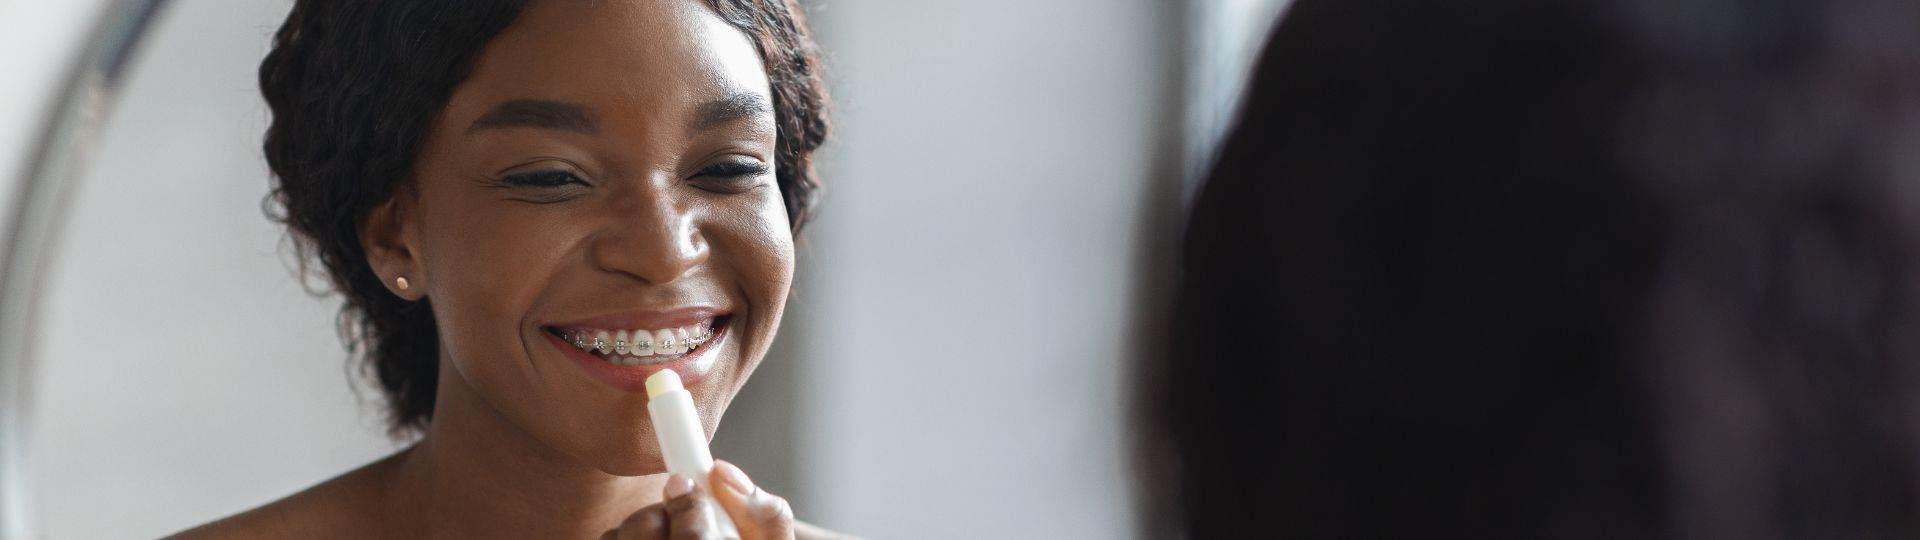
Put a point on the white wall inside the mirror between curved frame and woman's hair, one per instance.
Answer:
(183, 372)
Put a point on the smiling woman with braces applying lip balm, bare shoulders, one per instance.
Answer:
(533, 207)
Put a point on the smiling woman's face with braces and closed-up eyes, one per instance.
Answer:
(608, 172)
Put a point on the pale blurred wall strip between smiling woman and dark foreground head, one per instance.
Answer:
(972, 276)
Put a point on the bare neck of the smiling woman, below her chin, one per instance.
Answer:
(475, 474)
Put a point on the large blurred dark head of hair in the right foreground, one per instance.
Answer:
(1575, 270)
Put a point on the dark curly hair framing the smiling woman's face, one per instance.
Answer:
(354, 89)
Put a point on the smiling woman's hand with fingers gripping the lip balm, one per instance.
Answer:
(692, 512)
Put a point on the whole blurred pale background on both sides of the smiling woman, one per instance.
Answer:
(1003, 172)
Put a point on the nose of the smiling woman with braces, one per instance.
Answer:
(654, 239)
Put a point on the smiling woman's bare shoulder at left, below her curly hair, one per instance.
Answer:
(347, 506)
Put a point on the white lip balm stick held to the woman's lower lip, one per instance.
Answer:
(677, 426)
